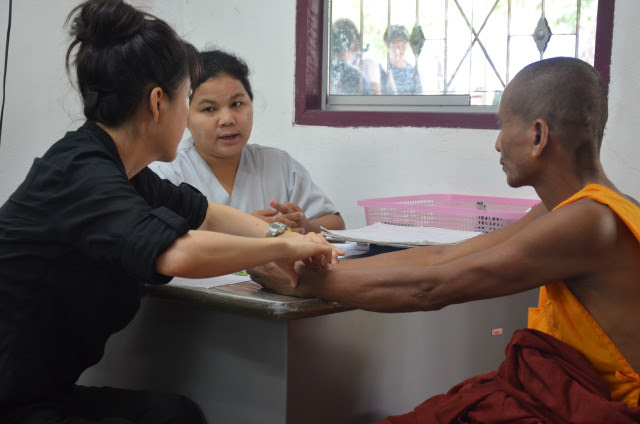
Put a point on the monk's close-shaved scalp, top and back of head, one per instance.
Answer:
(568, 93)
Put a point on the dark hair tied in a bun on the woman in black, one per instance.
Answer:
(122, 53)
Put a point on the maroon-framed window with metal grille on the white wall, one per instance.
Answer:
(459, 53)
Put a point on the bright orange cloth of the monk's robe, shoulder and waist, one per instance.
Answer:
(560, 313)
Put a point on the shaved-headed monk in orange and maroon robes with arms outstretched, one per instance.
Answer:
(580, 245)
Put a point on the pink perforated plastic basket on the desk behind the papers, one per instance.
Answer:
(453, 211)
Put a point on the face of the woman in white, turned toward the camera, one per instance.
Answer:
(220, 117)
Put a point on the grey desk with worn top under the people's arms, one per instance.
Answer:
(249, 356)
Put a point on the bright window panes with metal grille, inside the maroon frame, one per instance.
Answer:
(446, 52)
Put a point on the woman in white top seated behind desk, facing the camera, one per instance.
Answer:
(216, 159)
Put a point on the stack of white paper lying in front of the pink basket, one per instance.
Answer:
(400, 236)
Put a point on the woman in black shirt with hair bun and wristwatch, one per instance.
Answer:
(91, 224)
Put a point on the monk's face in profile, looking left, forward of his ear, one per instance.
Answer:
(513, 144)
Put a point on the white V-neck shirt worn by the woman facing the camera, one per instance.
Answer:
(264, 174)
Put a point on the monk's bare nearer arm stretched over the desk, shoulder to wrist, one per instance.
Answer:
(573, 241)
